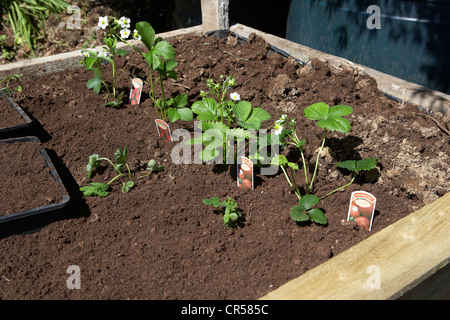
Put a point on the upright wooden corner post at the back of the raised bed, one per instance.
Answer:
(215, 15)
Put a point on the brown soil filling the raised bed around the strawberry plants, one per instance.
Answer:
(159, 241)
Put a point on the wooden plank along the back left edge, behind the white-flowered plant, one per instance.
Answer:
(70, 60)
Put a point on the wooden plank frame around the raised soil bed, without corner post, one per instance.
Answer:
(409, 259)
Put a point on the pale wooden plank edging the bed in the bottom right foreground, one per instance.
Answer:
(386, 265)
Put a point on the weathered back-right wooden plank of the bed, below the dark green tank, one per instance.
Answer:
(426, 98)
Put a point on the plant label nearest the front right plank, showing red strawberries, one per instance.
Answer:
(362, 208)
